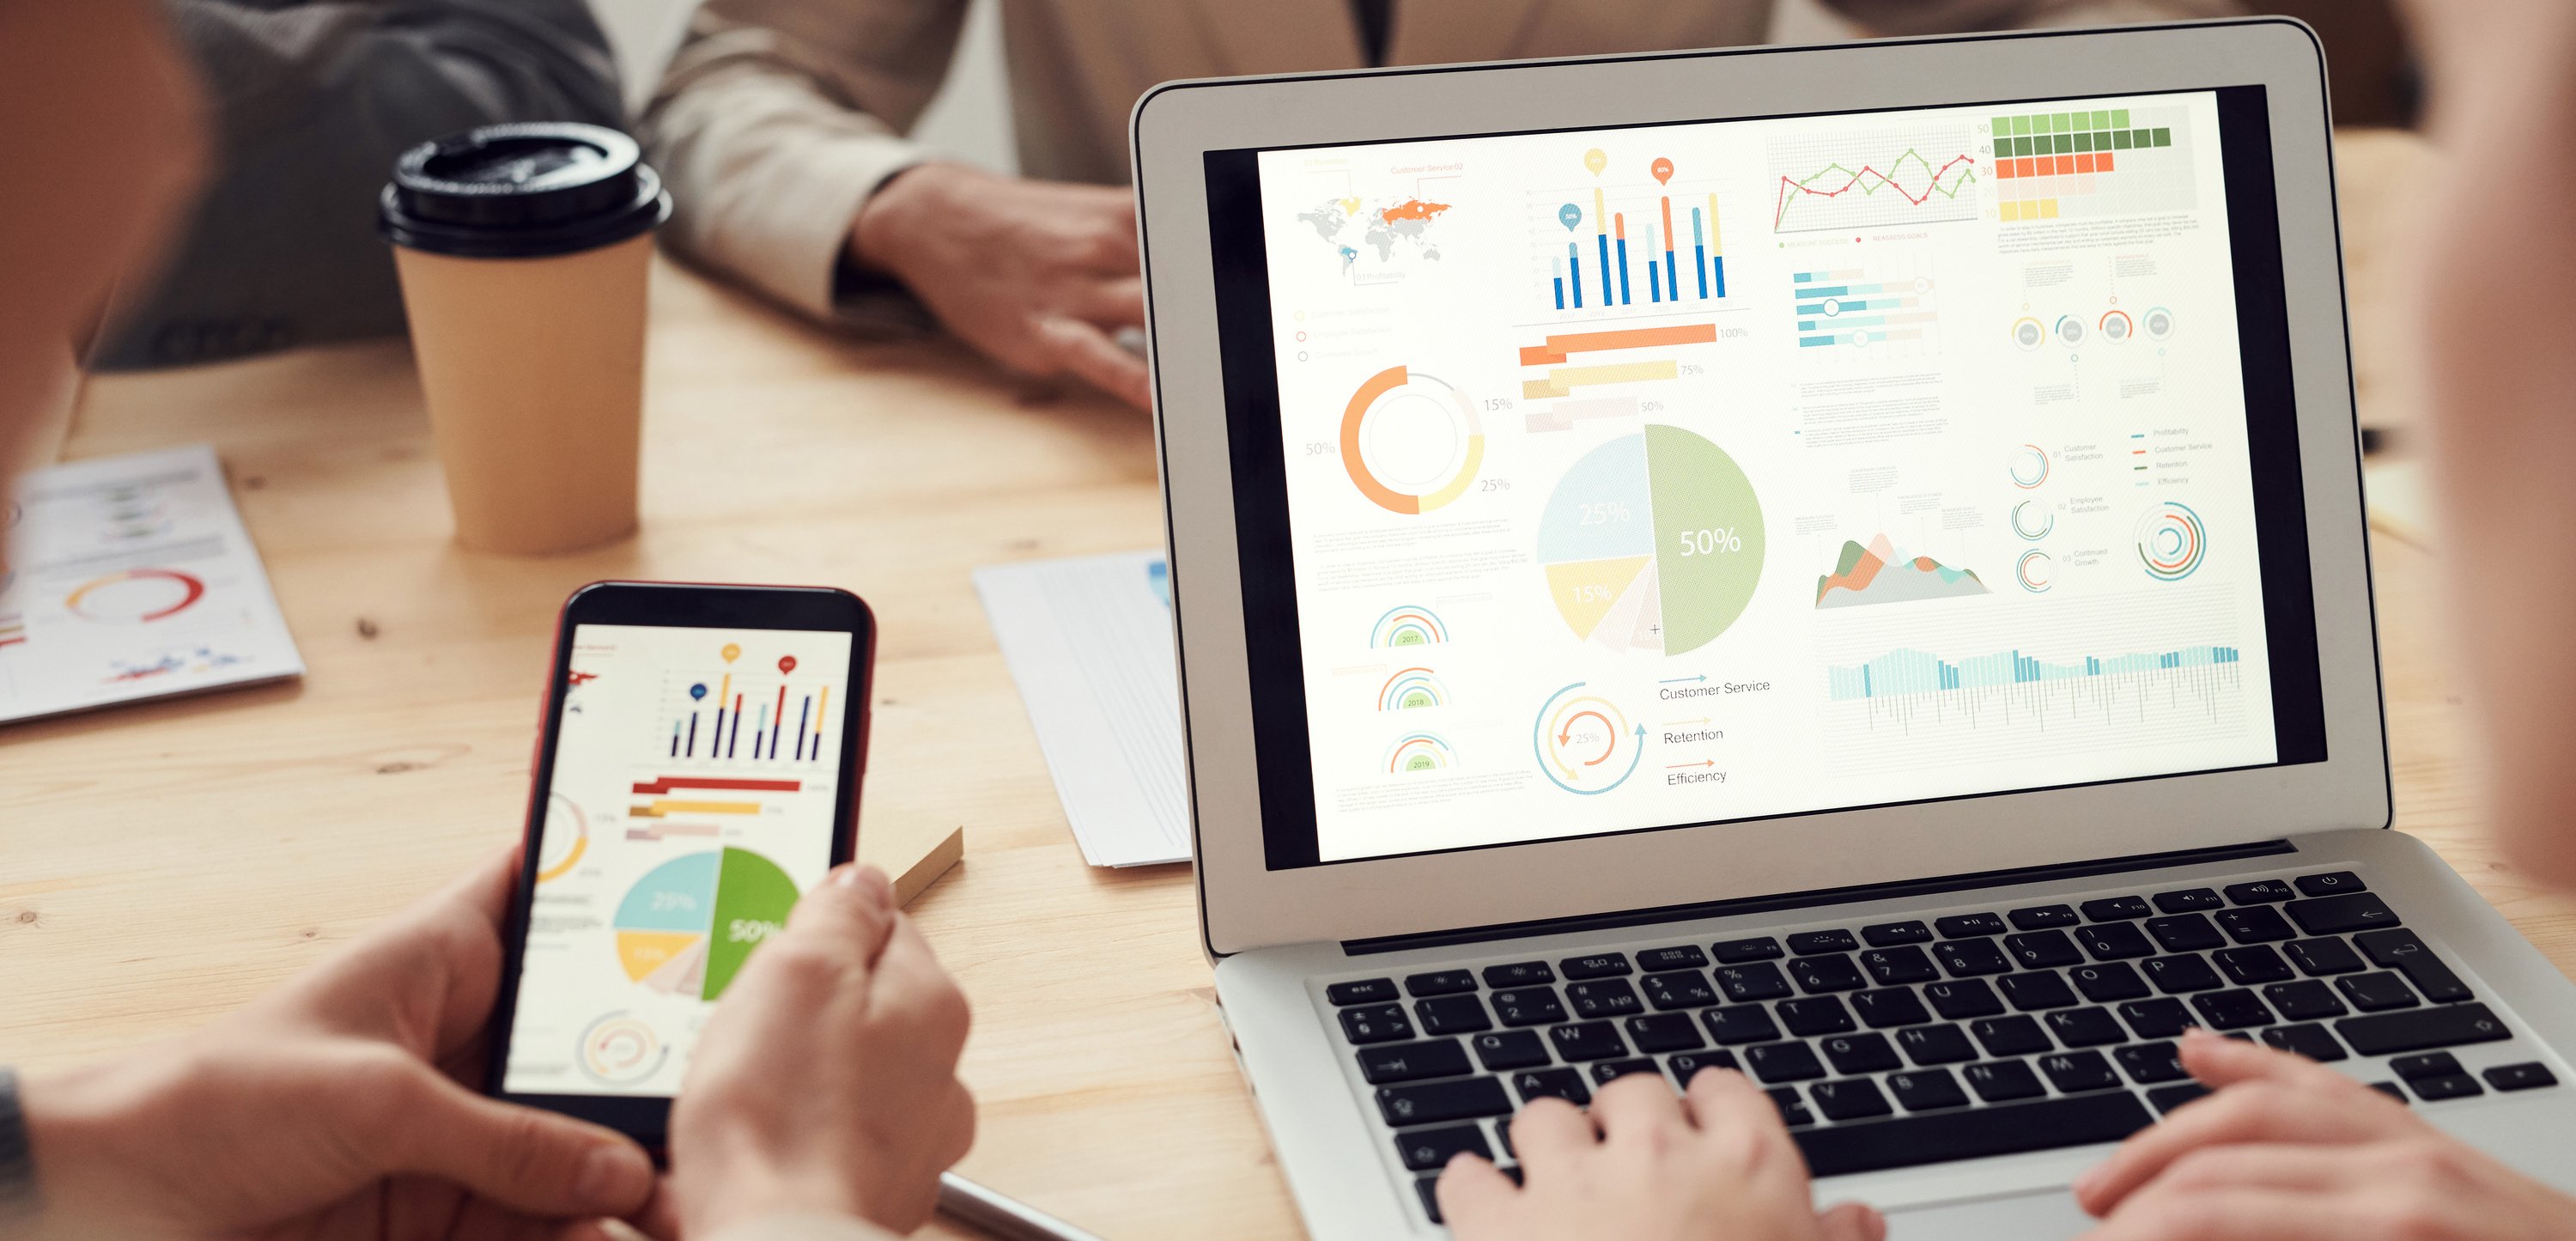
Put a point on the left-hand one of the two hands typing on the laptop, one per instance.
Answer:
(1714, 1165)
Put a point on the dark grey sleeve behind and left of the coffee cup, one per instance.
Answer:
(310, 107)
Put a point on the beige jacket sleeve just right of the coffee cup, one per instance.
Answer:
(777, 122)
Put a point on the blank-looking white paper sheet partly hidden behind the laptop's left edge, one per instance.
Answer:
(1091, 648)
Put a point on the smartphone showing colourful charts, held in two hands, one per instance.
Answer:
(697, 771)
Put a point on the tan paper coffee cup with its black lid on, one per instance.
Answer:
(524, 256)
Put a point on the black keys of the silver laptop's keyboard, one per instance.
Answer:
(1905, 1044)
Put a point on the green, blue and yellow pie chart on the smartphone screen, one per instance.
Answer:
(692, 923)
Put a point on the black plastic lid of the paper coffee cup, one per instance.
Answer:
(522, 192)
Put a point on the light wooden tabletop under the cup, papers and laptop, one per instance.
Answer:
(164, 864)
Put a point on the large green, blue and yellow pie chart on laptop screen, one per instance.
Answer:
(1653, 542)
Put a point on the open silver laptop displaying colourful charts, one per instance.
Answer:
(1830, 563)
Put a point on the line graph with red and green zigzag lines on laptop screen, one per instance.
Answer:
(1853, 182)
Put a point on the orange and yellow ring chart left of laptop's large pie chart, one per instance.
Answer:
(1410, 442)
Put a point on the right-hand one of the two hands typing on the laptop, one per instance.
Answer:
(2289, 1150)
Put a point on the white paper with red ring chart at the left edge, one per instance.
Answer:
(133, 578)
